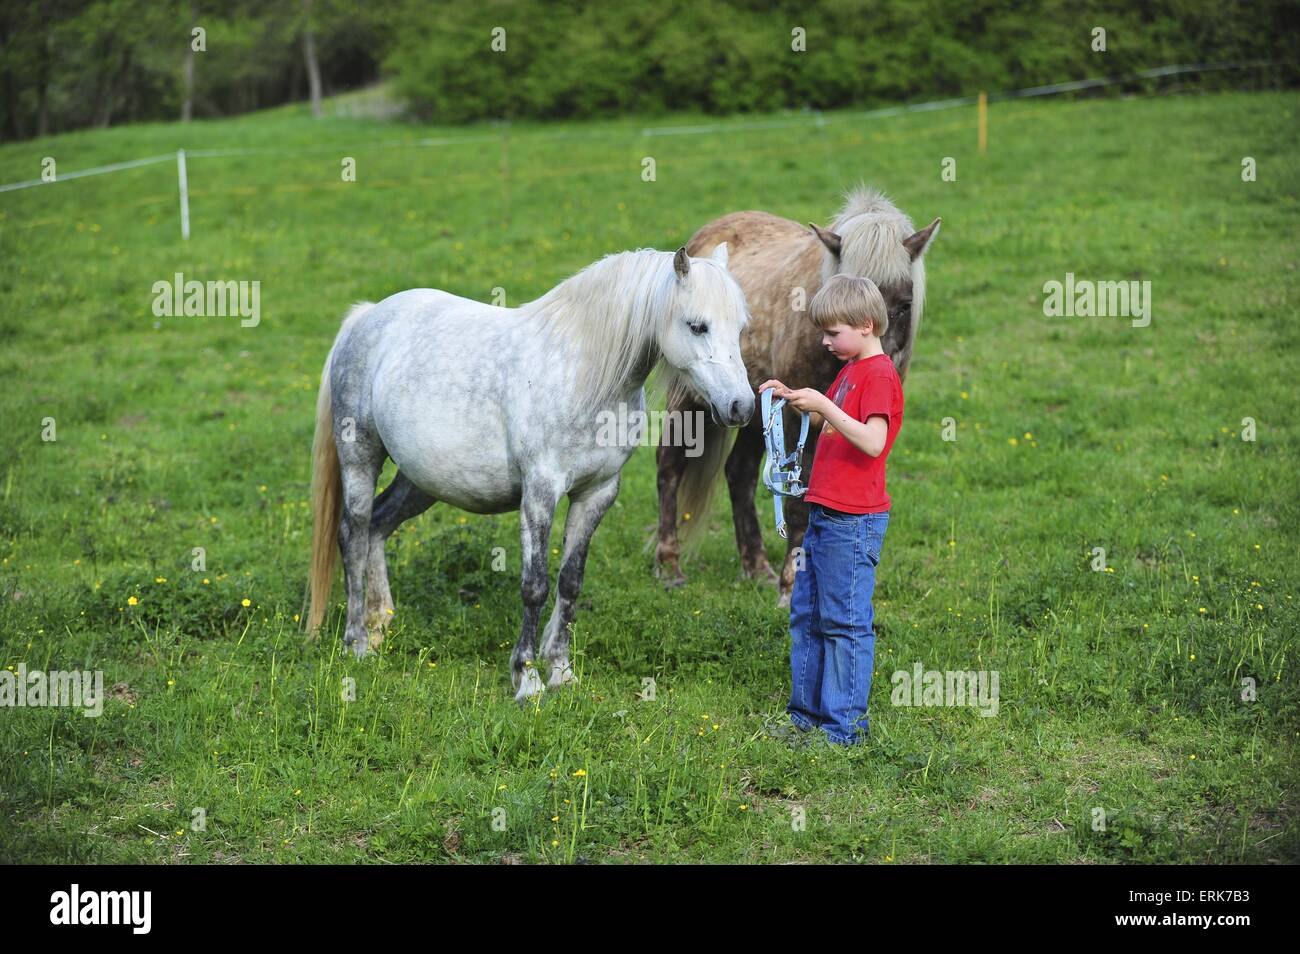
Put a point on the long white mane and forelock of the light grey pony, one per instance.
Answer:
(614, 310)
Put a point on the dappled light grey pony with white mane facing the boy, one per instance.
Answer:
(495, 410)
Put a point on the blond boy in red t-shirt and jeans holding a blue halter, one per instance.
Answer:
(833, 641)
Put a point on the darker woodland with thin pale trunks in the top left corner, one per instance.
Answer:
(66, 64)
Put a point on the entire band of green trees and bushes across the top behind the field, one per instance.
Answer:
(76, 63)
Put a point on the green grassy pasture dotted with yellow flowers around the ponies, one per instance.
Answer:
(1121, 691)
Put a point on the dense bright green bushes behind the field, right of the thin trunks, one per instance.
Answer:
(586, 59)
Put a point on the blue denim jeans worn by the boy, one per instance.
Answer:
(833, 640)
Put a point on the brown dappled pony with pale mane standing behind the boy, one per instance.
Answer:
(781, 266)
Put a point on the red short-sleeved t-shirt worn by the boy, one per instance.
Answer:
(846, 478)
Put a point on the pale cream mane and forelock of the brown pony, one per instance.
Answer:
(873, 231)
